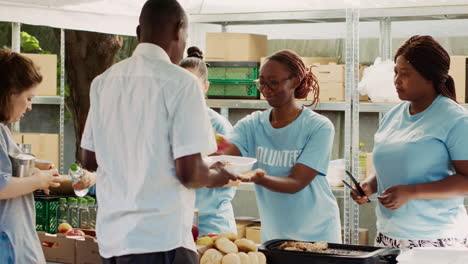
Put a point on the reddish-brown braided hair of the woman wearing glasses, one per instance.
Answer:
(308, 81)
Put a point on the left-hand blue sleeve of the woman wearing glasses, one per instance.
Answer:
(241, 136)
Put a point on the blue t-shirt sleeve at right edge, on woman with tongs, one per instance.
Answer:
(457, 140)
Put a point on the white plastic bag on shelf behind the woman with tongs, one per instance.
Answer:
(377, 82)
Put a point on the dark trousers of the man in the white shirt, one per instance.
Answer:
(177, 256)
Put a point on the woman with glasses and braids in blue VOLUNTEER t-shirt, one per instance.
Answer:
(292, 145)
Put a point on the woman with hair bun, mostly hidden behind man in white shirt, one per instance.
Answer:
(214, 204)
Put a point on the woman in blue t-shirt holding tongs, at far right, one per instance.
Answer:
(421, 155)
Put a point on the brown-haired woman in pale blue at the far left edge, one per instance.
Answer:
(19, 242)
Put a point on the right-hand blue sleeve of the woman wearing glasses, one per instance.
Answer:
(317, 151)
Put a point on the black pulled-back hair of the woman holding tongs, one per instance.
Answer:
(432, 61)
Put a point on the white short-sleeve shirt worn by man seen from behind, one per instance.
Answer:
(145, 113)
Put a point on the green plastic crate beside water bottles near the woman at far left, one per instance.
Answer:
(46, 213)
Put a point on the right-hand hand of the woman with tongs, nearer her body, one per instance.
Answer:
(396, 196)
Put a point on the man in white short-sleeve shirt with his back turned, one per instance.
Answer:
(146, 130)
